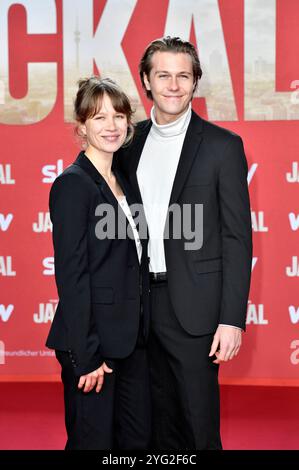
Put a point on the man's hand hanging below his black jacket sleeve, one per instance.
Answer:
(226, 344)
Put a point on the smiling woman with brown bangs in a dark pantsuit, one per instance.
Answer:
(98, 331)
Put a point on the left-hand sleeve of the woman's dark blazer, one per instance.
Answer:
(69, 211)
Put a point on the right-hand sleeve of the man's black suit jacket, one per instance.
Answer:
(236, 234)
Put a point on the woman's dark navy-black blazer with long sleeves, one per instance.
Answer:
(98, 281)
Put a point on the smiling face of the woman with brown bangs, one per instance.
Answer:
(107, 130)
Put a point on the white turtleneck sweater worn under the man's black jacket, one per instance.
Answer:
(156, 171)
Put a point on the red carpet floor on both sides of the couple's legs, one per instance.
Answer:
(31, 417)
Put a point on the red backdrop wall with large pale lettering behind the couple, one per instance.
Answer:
(248, 50)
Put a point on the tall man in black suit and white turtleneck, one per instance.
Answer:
(199, 295)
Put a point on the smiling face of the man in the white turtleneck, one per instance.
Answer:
(171, 82)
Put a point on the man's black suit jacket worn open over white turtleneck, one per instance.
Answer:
(209, 285)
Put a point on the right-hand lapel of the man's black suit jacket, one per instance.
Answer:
(191, 144)
